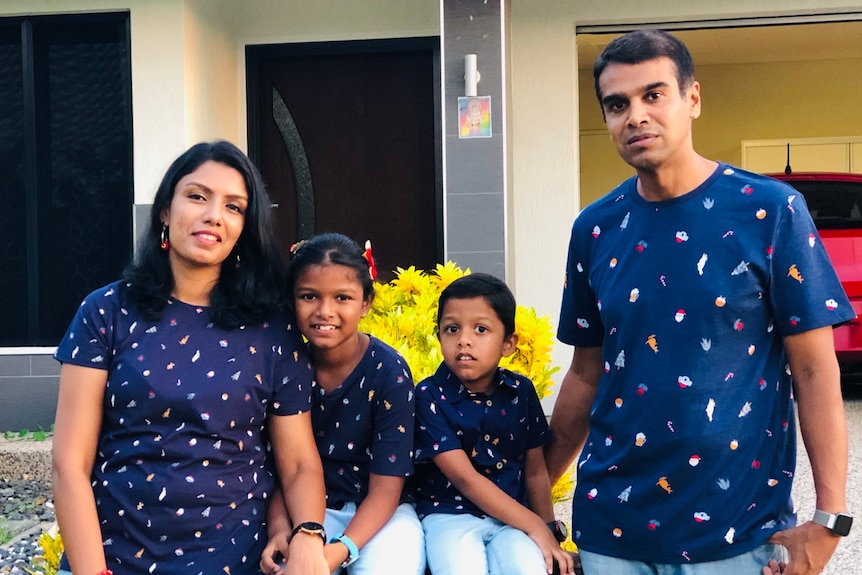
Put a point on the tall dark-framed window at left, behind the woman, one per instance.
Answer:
(65, 168)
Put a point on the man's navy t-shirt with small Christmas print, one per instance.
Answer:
(692, 443)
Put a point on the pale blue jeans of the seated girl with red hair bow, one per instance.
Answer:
(397, 549)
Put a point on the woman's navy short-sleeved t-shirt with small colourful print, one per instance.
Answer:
(182, 474)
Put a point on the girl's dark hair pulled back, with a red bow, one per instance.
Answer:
(329, 248)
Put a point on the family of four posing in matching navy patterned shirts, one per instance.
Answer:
(222, 414)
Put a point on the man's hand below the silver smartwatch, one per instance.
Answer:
(809, 547)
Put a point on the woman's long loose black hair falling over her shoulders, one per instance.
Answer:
(248, 288)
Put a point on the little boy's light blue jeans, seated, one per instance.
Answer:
(469, 545)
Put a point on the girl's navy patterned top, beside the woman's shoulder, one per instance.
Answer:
(365, 425)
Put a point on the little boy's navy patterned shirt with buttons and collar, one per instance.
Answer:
(495, 431)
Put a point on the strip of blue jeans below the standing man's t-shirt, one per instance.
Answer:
(750, 563)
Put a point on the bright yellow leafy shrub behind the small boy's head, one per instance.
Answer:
(404, 315)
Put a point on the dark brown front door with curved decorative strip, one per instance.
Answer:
(347, 137)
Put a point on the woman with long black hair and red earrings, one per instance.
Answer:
(160, 457)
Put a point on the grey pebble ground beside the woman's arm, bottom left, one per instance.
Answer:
(26, 509)
